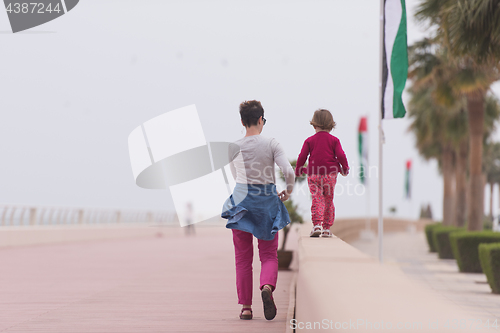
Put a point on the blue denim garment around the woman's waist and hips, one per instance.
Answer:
(257, 209)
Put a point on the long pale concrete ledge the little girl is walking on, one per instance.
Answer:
(340, 288)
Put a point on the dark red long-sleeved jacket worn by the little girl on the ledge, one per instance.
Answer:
(326, 155)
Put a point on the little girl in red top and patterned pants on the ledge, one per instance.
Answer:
(326, 160)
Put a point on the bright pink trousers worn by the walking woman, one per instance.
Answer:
(243, 250)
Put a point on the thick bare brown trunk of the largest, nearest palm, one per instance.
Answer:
(475, 105)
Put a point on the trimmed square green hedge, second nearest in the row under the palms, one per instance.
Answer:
(465, 248)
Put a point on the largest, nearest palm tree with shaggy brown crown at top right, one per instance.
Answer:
(470, 30)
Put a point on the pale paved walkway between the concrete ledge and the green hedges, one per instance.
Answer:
(409, 251)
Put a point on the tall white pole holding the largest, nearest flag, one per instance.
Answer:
(380, 140)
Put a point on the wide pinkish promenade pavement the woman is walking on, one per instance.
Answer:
(174, 283)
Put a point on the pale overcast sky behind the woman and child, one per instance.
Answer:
(74, 88)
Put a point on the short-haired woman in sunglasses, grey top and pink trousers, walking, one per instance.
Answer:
(255, 209)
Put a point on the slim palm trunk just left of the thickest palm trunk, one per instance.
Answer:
(461, 185)
